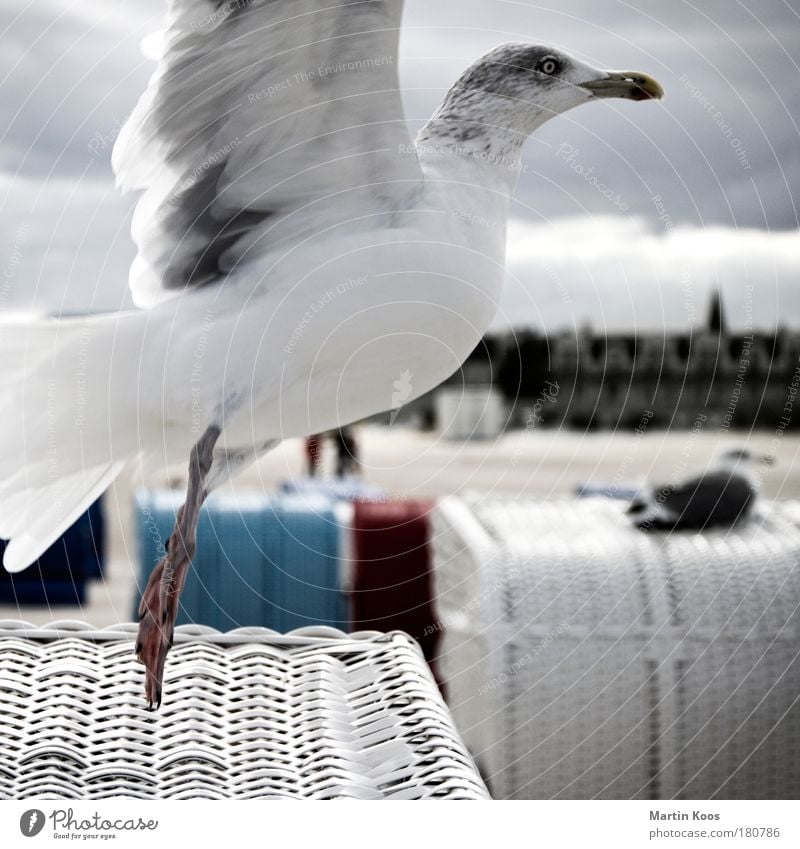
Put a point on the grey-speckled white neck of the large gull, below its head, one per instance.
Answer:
(478, 135)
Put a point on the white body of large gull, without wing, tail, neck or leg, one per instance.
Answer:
(348, 326)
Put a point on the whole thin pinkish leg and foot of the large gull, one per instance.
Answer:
(159, 606)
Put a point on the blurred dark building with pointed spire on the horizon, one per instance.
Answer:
(711, 375)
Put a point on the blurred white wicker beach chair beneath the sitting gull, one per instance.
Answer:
(586, 659)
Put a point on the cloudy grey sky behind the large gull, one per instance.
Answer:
(627, 214)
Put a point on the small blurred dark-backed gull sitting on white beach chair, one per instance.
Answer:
(721, 496)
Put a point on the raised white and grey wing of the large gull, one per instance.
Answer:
(262, 118)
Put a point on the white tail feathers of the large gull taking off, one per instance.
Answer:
(64, 398)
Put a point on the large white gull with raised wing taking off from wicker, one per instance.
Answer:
(299, 257)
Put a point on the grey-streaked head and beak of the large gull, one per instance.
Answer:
(517, 87)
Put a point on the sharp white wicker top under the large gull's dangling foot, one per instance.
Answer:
(249, 714)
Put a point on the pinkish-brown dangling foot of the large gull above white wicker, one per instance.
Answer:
(158, 611)
